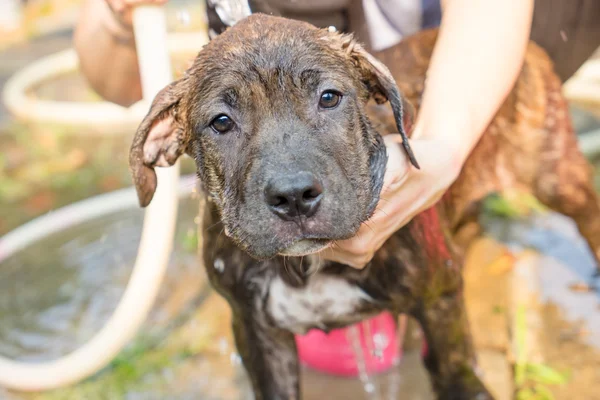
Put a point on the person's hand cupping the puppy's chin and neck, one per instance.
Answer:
(406, 192)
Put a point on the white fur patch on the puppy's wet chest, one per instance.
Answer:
(323, 300)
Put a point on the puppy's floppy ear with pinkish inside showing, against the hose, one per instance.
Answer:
(159, 141)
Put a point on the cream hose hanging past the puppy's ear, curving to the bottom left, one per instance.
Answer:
(153, 254)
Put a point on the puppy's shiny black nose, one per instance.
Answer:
(293, 196)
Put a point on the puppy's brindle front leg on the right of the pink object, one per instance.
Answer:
(450, 358)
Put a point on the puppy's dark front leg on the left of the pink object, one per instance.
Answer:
(269, 356)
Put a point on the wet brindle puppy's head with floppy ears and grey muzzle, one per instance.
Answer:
(273, 112)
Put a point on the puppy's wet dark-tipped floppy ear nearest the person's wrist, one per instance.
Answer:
(382, 86)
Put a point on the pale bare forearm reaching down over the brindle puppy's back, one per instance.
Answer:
(475, 63)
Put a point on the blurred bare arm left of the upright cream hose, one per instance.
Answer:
(107, 54)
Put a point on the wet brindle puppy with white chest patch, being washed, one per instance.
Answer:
(275, 114)
